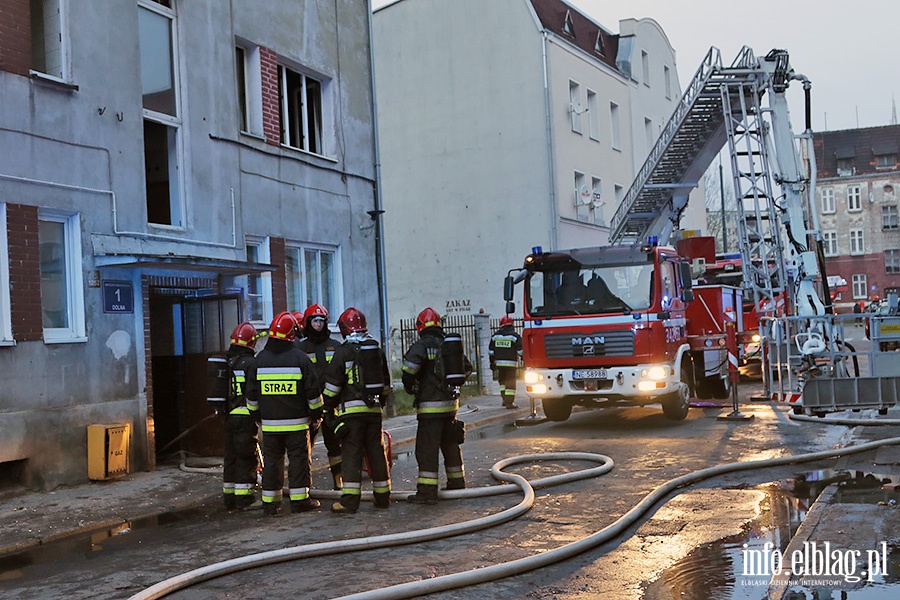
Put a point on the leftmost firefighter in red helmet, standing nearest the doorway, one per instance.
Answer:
(239, 462)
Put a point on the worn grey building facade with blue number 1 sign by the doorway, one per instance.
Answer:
(170, 169)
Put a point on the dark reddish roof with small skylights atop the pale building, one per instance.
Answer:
(566, 22)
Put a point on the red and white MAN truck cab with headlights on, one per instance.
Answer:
(606, 326)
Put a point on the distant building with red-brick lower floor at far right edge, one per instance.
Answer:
(858, 201)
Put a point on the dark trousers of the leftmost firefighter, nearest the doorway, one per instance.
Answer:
(239, 461)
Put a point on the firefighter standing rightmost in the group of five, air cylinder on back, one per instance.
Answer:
(436, 404)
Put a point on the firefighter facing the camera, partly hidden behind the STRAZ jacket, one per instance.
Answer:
(320, 347)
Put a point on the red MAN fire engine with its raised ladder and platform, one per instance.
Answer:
(624, 324)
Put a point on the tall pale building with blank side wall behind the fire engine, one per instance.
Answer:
(506, 125)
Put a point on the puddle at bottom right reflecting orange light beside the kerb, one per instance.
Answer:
(718, 571)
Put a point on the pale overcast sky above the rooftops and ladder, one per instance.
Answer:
(850, 51)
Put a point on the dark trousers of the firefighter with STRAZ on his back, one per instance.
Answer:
(296, 445)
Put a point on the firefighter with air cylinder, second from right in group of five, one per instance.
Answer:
(357, 384)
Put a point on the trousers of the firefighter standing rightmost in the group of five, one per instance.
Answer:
(434, 436)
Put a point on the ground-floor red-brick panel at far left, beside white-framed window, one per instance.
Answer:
(24, 272)
